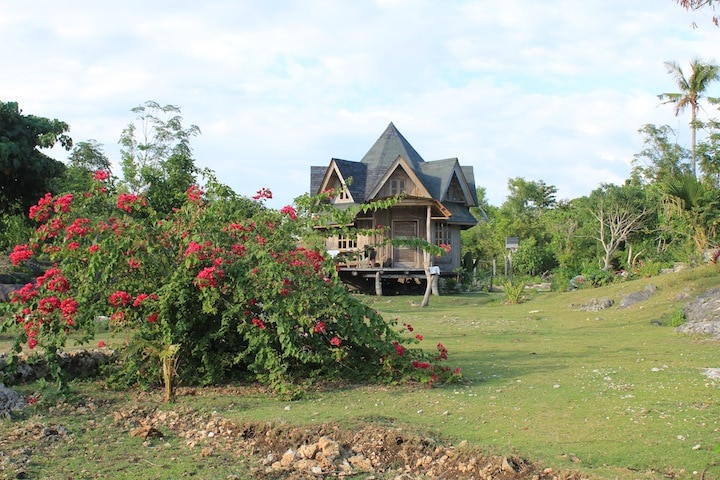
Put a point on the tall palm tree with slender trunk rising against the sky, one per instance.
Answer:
(692, 89)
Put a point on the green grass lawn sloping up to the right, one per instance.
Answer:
(614, 394)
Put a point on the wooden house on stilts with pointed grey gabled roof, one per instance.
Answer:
(436, 200)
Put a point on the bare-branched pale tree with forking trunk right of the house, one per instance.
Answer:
(620, 212)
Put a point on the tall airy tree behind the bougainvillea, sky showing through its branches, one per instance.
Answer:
(156, 156)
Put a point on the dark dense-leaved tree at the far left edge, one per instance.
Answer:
(27, 173)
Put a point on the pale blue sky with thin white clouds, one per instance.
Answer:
(546, 91)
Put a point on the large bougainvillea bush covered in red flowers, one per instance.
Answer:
(219, 289)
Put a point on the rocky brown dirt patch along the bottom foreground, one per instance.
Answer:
(283, 451)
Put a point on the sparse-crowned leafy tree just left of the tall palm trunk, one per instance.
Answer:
(661, 156)
